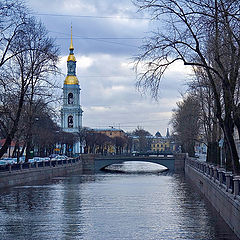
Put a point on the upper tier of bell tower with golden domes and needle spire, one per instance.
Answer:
(71, 66)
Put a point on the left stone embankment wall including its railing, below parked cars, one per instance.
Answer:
(32, 172)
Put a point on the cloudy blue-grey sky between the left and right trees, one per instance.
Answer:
(107, 35)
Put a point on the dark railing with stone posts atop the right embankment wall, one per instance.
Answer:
(226, 180)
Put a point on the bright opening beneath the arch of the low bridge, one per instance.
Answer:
(135, 167)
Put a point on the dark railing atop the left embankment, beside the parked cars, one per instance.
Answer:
(44, 164)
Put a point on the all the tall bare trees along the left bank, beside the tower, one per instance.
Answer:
(27, 59)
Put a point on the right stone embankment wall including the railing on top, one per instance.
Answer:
(221, 188)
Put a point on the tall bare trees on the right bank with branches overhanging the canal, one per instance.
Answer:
(205, 35)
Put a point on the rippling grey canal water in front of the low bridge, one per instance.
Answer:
(110, 206)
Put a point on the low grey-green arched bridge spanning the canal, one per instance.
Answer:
(171, 162)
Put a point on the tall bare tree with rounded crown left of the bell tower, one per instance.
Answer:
(25, 75)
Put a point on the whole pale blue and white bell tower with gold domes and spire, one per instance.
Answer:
(71, 112)
